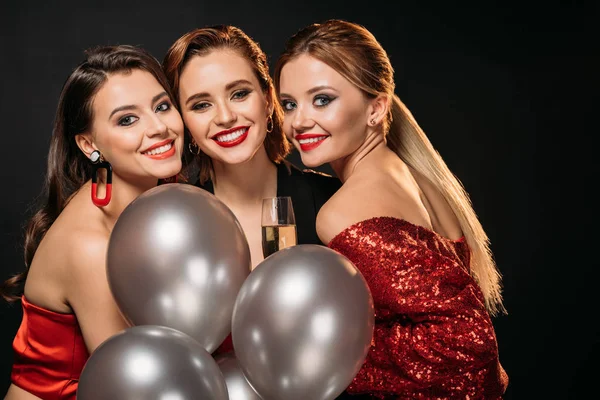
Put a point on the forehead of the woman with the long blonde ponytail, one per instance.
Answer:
(305, 71)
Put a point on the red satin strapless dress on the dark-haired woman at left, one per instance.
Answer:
(49, 353)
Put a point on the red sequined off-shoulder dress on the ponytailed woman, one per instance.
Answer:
(433, 336)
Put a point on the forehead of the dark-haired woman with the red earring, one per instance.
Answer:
(137, 87)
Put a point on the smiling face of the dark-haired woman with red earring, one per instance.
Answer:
(136, 128)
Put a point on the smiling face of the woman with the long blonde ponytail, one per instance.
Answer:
(325, 114)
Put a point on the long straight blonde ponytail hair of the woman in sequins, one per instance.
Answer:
(356, 54)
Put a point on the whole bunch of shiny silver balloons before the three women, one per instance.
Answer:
(178, 266)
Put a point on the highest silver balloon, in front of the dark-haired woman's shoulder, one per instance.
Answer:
(177, 257)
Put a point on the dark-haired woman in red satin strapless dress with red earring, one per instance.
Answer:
(116, 133)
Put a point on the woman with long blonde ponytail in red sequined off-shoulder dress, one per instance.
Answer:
(401, 216)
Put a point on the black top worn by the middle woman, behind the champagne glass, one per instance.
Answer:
(308, 189)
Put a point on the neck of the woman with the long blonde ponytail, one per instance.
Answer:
(373, 146)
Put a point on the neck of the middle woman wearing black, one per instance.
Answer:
(248, 182)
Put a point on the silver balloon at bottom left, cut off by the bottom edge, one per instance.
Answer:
(151, 362)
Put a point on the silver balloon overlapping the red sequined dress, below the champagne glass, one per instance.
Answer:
(303, 324)
